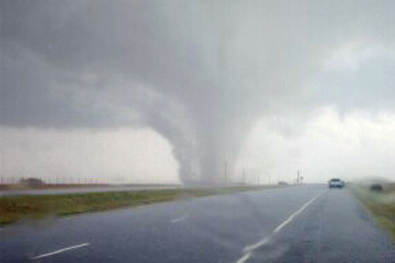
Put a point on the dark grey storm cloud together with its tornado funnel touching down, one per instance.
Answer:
(199, 73)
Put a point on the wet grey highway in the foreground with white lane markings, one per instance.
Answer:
(293, 224)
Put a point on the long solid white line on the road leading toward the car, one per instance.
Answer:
(248, 249)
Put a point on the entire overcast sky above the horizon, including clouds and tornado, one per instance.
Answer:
(170, 91)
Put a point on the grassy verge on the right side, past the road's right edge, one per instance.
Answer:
(380, 204)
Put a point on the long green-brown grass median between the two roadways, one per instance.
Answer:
(16, 208)
